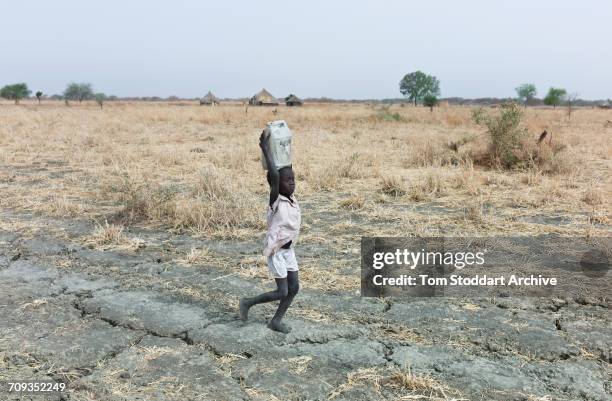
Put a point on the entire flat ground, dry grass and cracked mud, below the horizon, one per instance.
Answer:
(127, 236)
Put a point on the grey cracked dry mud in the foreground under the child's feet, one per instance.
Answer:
(135, 325)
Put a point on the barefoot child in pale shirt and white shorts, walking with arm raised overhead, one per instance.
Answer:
(283, 227)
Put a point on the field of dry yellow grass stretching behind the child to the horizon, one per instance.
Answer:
(385, 171)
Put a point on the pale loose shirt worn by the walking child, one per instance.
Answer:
(284, 219)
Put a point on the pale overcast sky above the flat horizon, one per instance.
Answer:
(341, 49)
